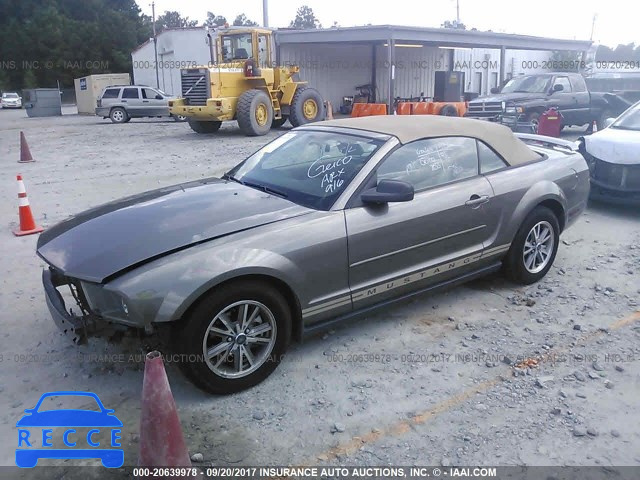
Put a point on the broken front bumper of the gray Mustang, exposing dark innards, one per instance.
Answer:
(77, 327)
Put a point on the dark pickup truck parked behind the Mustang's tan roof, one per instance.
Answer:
(521, 101)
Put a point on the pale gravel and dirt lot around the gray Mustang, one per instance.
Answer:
(439, 386)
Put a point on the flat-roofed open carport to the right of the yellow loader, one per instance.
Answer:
(401, 60)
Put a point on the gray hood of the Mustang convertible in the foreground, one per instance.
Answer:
(105, 240)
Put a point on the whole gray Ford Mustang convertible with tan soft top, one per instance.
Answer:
(326, 222)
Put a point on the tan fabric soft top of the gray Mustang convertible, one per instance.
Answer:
(408, 128)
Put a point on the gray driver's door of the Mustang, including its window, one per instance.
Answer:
(395, 248)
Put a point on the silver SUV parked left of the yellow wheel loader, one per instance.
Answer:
(121, 103)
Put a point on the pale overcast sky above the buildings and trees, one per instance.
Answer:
(617, 21)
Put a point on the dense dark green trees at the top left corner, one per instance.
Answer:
(45, 41)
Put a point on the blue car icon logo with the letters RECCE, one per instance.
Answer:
(97, 423)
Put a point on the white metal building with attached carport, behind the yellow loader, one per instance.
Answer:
(398, 61)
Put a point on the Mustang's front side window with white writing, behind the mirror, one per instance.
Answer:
(431, 162)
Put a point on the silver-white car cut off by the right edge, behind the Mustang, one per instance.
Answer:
(613, 158)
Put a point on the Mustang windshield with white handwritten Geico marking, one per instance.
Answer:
(309, 168)
